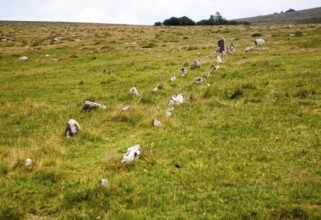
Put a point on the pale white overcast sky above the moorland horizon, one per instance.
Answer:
(145, 12)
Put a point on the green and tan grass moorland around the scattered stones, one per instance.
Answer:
(244, 145)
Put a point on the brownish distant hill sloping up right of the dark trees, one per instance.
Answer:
(298, 17)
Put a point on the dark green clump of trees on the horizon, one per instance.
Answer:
(216, 19)
